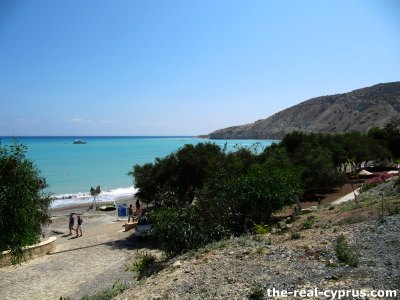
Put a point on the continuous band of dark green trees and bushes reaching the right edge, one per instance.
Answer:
(208, 193)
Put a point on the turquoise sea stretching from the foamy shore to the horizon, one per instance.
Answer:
(72, 169)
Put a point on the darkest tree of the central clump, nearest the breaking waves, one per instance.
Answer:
(177, 178)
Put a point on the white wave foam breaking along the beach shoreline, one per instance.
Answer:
(83, 198)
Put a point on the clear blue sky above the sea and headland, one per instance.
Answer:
(170, 67)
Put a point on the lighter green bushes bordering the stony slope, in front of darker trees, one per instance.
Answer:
(236, 207)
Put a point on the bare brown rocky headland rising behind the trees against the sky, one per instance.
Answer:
(358, 110)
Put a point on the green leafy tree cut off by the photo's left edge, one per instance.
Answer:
(23, 205)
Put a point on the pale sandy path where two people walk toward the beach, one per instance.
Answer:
(78, 266)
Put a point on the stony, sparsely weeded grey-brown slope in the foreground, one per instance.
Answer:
(344, 247)
